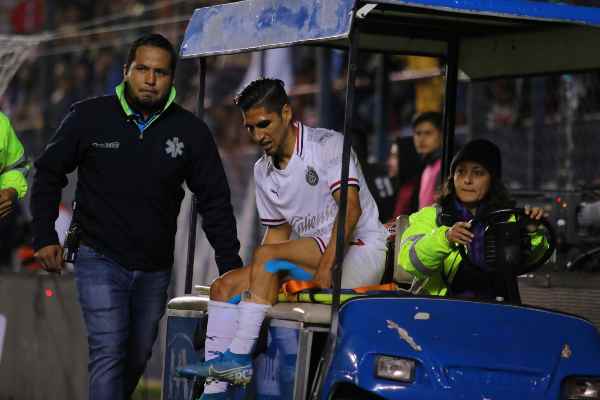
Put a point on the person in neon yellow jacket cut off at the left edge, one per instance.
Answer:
(14, 168)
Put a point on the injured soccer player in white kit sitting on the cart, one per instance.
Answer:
(297, 182)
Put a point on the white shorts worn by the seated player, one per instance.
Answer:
(363, 266)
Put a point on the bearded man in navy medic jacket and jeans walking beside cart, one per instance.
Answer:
(133, 151)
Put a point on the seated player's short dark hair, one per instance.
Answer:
(263, 92)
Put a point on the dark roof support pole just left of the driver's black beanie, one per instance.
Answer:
(450, 106)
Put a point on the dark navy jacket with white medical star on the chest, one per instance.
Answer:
(129, 187)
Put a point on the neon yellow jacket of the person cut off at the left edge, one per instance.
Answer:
(14, 166)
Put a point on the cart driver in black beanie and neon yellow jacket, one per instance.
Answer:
(429, 249)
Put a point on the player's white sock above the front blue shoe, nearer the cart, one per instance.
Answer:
(251, 316)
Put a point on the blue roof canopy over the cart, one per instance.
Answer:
(496, 38)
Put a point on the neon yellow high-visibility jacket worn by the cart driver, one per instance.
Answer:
(424, 249)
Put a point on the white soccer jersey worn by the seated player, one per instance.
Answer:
(301, 194)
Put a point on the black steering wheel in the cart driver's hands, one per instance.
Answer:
(526, 224)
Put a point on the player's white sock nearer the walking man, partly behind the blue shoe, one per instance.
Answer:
(221, 328)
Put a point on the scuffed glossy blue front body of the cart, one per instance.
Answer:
(462, 349)
